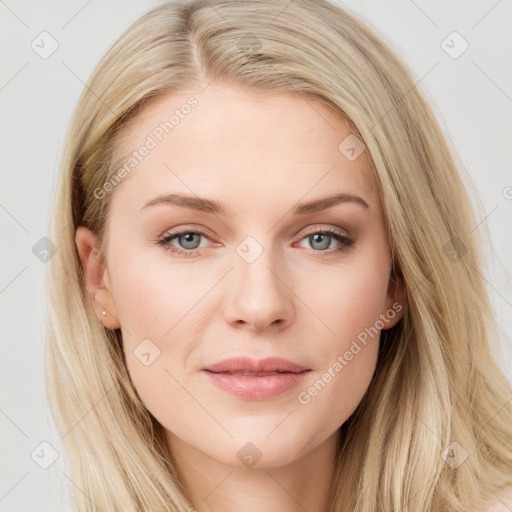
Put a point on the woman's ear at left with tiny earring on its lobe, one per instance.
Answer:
(97, 282)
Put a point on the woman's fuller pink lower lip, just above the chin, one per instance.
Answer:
(261, 387)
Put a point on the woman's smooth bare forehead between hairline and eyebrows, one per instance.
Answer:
(231, 143)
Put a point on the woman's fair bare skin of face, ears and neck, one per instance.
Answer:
(259, 155)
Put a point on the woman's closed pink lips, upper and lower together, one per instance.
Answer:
(239, 376)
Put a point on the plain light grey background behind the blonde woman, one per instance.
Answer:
(472, 96)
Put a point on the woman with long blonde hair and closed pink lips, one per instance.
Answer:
(268, 291)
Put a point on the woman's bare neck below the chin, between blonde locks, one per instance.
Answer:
(213, 486)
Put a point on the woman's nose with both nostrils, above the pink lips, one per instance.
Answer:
(259, 296)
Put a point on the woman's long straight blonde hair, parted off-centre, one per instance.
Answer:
(436, 381)
